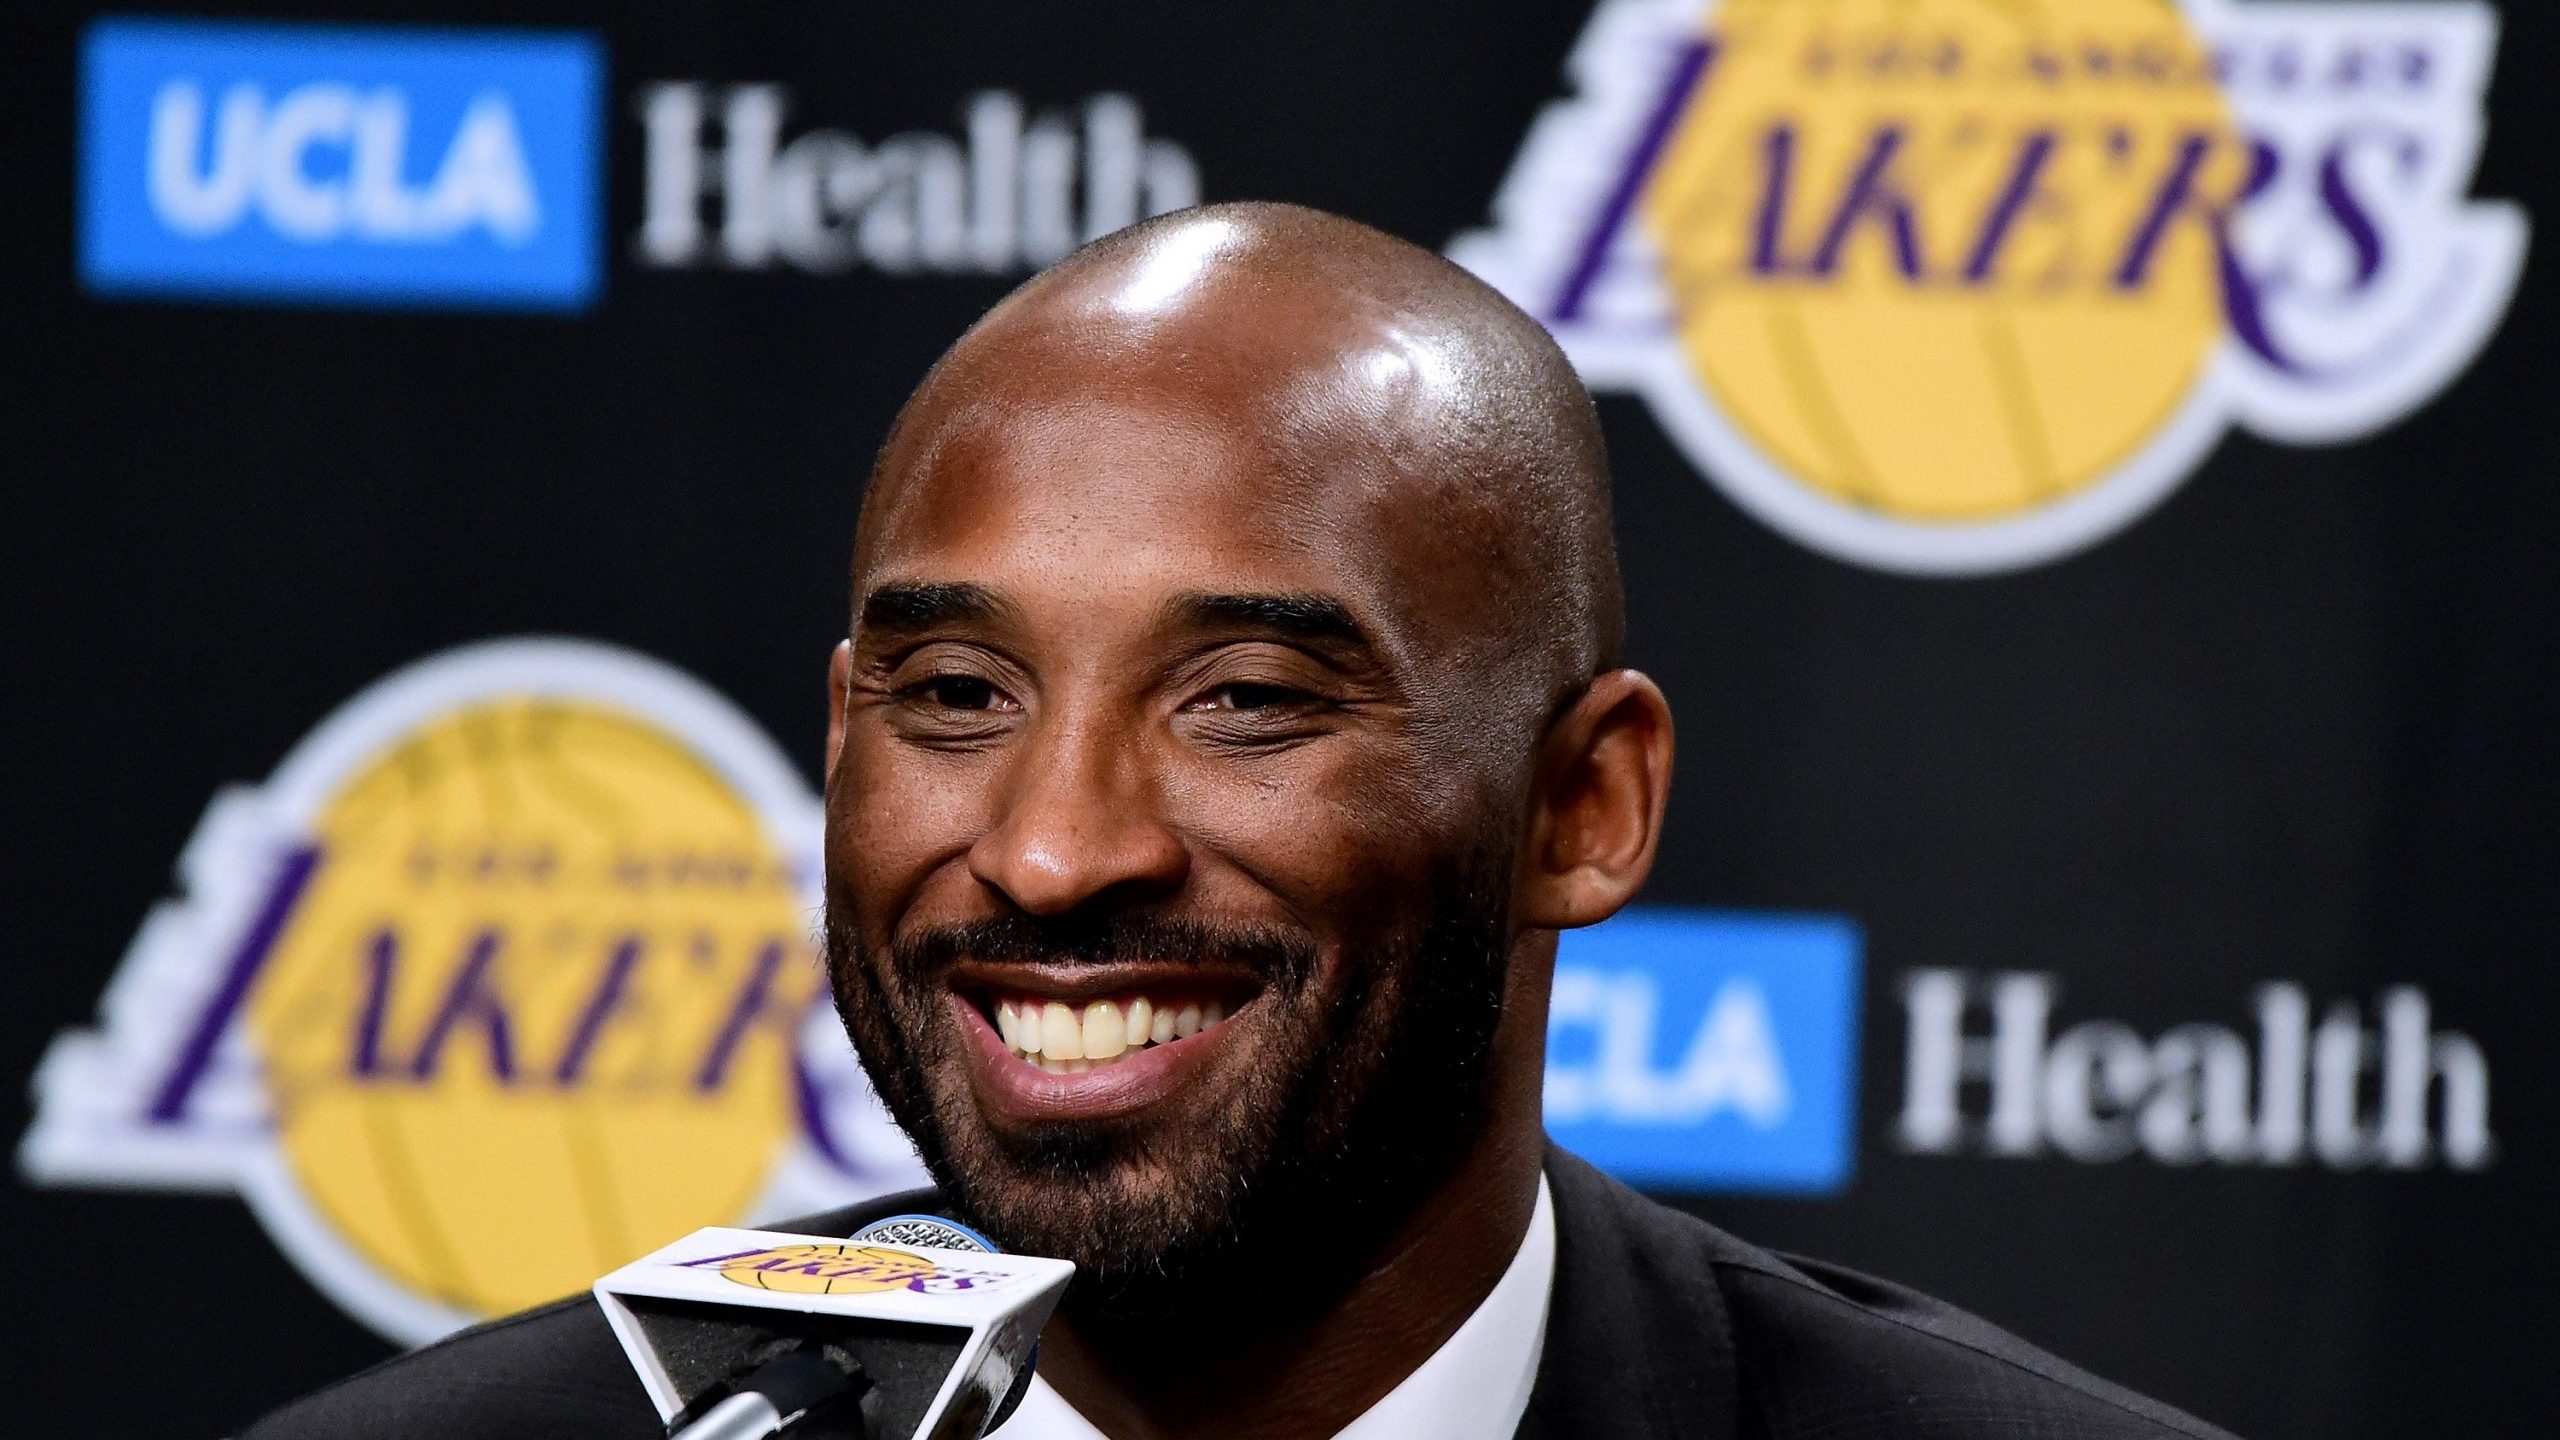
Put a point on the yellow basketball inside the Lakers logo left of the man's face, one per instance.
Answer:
(534, 1011)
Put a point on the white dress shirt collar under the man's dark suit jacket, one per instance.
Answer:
(1476, 1385)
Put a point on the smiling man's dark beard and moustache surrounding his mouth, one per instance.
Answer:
(1353, 1106)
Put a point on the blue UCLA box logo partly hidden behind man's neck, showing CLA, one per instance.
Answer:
(1696, 1049)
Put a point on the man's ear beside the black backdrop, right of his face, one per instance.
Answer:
(1596, 806)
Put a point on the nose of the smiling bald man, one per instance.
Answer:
(1079, 826)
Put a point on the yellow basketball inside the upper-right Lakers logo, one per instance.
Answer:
(1903, 252)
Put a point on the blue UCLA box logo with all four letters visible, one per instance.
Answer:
(355, 165)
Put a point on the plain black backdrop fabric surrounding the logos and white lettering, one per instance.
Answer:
(2295, 726)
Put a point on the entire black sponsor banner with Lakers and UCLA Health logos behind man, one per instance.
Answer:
(2088, 483)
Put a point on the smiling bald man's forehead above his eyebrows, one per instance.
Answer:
(1115, 488)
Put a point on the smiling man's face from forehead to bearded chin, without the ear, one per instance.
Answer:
(1156, 760)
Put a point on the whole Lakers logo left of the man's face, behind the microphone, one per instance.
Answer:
(503, 980)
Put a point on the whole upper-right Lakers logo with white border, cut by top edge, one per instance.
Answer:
(1967, 286)
